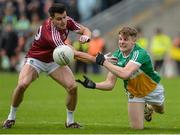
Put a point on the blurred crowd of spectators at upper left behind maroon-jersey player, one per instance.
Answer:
(20, 19)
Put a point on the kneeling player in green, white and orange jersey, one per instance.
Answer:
(142, 83)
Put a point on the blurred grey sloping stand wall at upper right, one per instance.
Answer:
(148, 14)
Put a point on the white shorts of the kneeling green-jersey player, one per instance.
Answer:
(156, 97)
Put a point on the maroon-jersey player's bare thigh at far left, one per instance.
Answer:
(27, 74)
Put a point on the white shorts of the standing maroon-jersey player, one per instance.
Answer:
(42, 66)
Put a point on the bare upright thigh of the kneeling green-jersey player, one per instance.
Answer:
(136, 114)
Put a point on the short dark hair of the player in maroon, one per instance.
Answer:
(57, 8)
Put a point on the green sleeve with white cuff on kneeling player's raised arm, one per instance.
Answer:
(140, 57)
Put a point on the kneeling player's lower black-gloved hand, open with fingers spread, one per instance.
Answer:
(87, 82)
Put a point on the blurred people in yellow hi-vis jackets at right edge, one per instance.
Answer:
(164, 50)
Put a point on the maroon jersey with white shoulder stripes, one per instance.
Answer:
(49, 37)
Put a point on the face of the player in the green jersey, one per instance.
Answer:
(126, 44)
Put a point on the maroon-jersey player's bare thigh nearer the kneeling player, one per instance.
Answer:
(64, 76)
